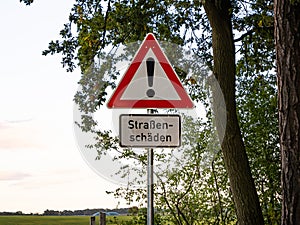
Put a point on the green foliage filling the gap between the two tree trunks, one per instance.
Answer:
(257, 110)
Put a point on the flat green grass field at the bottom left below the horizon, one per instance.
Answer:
(58, 220)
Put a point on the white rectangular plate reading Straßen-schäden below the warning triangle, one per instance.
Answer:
(150, 130)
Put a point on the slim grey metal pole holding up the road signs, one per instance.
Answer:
(150, 184)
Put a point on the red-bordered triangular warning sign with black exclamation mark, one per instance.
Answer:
(150, 81)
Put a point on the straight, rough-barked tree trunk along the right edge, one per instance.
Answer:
(287, 37)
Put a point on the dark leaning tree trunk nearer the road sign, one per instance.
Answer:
(242, 185)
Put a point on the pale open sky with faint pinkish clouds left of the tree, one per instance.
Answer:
(41, 166)
